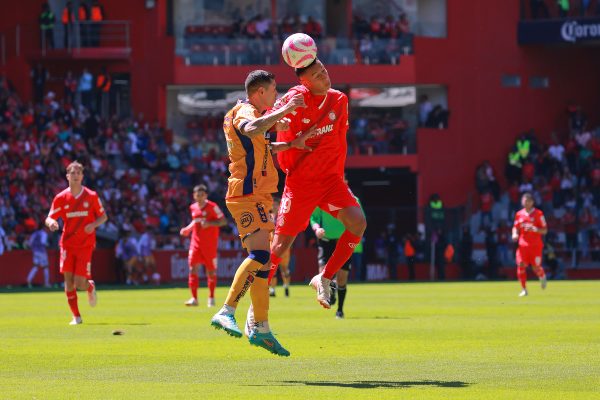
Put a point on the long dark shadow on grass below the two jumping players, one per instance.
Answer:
(373, 384)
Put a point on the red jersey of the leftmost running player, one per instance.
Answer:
(76, 212)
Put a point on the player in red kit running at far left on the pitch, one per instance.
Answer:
(81, 212)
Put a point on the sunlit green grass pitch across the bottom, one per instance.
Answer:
(409, 341)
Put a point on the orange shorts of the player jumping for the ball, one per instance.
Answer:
(252, 213)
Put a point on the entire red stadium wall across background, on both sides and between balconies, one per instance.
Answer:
(481, 46)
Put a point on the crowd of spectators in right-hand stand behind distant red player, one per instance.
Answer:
(563, 175)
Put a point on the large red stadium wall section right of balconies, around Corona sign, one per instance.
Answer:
(486, 117)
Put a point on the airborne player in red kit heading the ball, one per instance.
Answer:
(316, 178)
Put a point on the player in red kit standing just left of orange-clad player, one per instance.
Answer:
(207, 217)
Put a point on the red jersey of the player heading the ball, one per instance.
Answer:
(330, 115)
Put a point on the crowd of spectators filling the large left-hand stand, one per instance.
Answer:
(141, 173)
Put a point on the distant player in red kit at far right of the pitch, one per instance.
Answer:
(528, 229)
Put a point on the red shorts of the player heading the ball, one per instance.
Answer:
(299, 201)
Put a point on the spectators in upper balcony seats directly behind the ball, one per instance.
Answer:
(377, 41)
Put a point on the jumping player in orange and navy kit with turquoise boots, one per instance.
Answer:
(249, 199)
